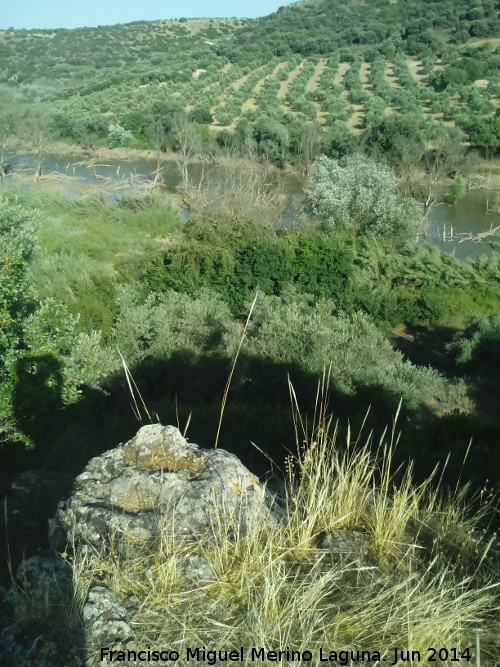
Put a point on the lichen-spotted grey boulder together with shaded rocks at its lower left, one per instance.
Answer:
(156, 482)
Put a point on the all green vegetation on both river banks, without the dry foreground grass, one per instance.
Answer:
(398, 98)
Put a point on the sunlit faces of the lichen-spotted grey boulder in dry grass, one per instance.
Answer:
(154, 484)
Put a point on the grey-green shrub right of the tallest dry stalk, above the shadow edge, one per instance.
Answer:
(297, 329)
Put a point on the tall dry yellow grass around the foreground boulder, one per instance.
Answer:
(422, 578)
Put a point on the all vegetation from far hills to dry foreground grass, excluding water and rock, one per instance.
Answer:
(384, 110)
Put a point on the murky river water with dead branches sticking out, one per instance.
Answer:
(446, 222)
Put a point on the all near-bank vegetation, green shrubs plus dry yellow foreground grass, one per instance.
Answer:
(80, 278)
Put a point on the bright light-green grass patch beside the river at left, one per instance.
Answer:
(87, 244)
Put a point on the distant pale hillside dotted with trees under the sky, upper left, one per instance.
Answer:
(67, 58)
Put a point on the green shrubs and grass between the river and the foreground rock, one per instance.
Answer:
(173, 295)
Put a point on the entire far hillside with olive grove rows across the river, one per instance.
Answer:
(343, 66)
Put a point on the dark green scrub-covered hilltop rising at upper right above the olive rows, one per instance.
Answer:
(318, 27)
